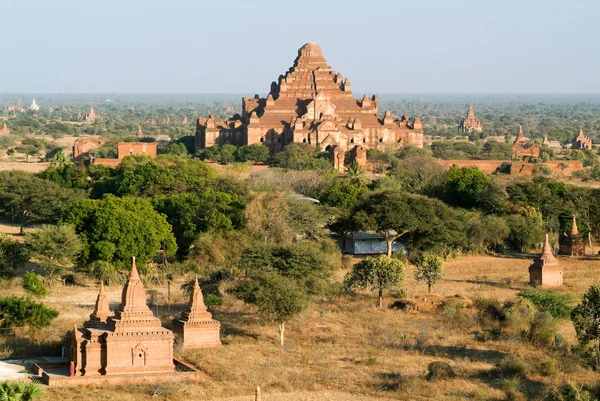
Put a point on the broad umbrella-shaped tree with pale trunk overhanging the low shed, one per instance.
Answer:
(421, 221)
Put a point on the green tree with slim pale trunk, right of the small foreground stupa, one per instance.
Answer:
(277, 297)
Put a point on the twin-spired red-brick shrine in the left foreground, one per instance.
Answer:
(132, 341)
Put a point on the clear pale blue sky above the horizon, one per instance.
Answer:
(241, 46)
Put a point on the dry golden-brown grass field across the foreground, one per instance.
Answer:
(344, 348)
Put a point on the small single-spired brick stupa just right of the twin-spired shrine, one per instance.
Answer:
(195, 327)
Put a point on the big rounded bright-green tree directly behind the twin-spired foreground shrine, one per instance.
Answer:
(116, 229)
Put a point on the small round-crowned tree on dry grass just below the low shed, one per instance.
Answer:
(377, 273)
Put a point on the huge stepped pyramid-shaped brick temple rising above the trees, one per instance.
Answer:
(311, 104)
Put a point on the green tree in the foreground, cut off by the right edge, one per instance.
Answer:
(586, 319)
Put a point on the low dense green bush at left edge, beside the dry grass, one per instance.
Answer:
(24, 312)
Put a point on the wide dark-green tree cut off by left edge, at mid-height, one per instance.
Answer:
(25, 198)
